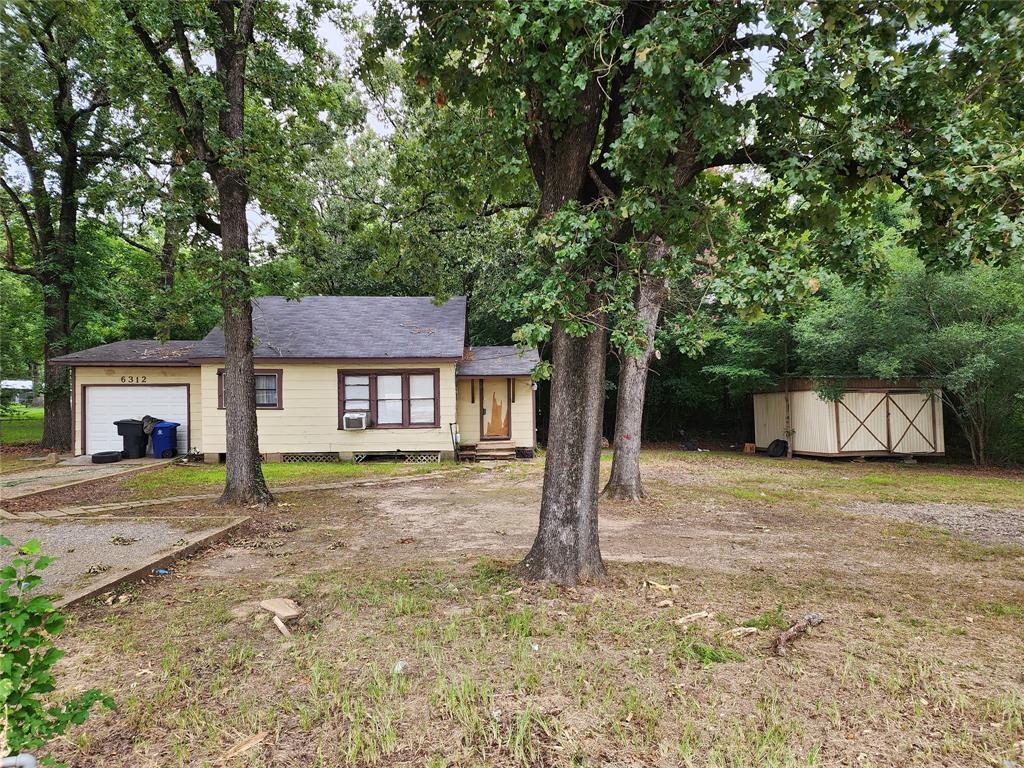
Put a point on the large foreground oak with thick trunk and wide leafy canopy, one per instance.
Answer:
(629, 112)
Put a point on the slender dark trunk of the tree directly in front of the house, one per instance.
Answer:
(245, 483)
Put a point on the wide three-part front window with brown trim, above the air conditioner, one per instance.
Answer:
(392, 400)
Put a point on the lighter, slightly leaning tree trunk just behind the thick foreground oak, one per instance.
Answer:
(625, 482)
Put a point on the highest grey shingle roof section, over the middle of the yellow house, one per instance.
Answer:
(351, 327)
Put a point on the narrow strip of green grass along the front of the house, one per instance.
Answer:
(202, 478)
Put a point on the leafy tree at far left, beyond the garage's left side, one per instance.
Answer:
(62, 133)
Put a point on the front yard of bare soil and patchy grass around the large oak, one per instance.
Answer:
(416, 648)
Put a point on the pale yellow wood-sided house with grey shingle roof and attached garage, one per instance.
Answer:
(337, 378)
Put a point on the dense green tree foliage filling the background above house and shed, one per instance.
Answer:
(788, 273)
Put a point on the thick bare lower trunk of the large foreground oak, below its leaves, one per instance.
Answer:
(567, 550)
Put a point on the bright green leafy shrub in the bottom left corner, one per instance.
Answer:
(29, 628)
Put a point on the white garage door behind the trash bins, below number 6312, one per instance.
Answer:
(104, 406)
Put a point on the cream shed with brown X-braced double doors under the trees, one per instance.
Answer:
(873, 418)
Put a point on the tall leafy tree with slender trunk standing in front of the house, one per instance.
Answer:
(247, 92)
